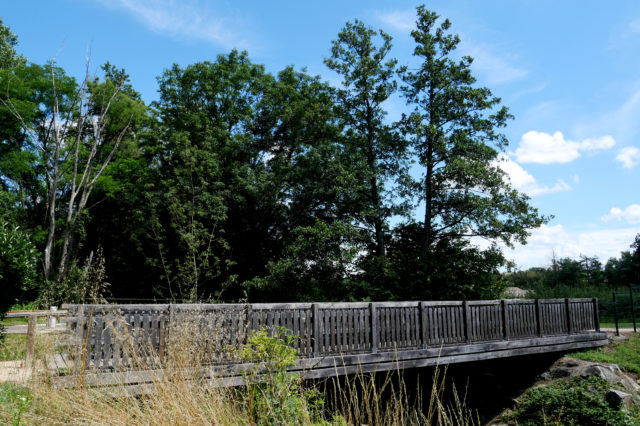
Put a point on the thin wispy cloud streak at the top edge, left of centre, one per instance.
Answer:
(187, 18)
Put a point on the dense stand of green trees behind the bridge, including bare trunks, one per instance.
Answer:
(241, 184)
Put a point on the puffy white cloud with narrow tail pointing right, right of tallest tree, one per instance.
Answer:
(543, 148)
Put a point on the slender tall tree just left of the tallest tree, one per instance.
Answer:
(367, 82)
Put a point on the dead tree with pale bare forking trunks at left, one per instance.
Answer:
(70, 144)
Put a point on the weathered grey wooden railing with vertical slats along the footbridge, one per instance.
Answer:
(324, 329)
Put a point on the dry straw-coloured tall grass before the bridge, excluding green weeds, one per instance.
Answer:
(183, 397)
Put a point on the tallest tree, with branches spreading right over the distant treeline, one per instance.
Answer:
(454, 133)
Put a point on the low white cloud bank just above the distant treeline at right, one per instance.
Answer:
(548, 241)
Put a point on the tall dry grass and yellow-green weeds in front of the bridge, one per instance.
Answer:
(179, 394)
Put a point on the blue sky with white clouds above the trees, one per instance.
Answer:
(569, 72)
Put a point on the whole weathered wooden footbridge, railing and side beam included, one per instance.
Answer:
(334, 338)
